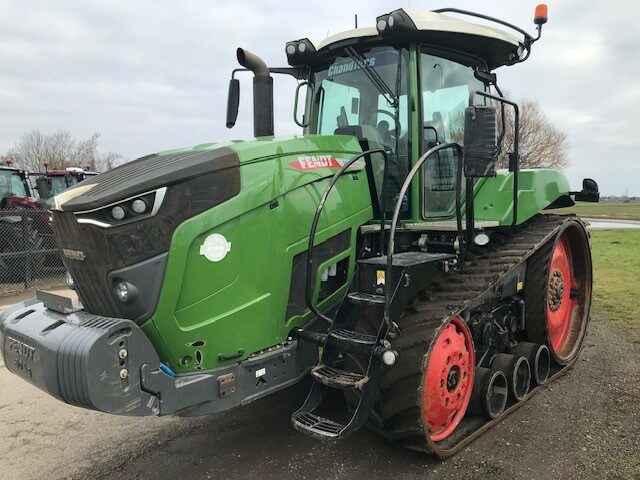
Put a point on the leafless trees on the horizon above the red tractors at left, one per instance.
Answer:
(60, 150)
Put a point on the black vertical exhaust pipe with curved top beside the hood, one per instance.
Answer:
(262, 92)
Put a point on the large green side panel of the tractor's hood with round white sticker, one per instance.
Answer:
(208, 309)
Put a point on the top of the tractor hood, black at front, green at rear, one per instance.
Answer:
(310, 153)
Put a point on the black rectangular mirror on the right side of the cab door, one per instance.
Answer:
(480, 144)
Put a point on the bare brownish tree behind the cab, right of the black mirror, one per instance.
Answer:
(542, 144)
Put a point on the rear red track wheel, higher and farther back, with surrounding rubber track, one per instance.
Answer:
(558, 292)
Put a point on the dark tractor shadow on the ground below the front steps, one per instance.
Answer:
(258, 441)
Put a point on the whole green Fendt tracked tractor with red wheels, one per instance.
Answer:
(381, 251)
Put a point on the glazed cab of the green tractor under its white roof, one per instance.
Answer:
(403, 87)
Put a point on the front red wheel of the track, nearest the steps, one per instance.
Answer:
(448, 380)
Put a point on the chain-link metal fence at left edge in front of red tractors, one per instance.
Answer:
(29, 256)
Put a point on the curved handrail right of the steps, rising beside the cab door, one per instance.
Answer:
(396, 214)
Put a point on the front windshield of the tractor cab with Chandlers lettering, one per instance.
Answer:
(347, 101)
